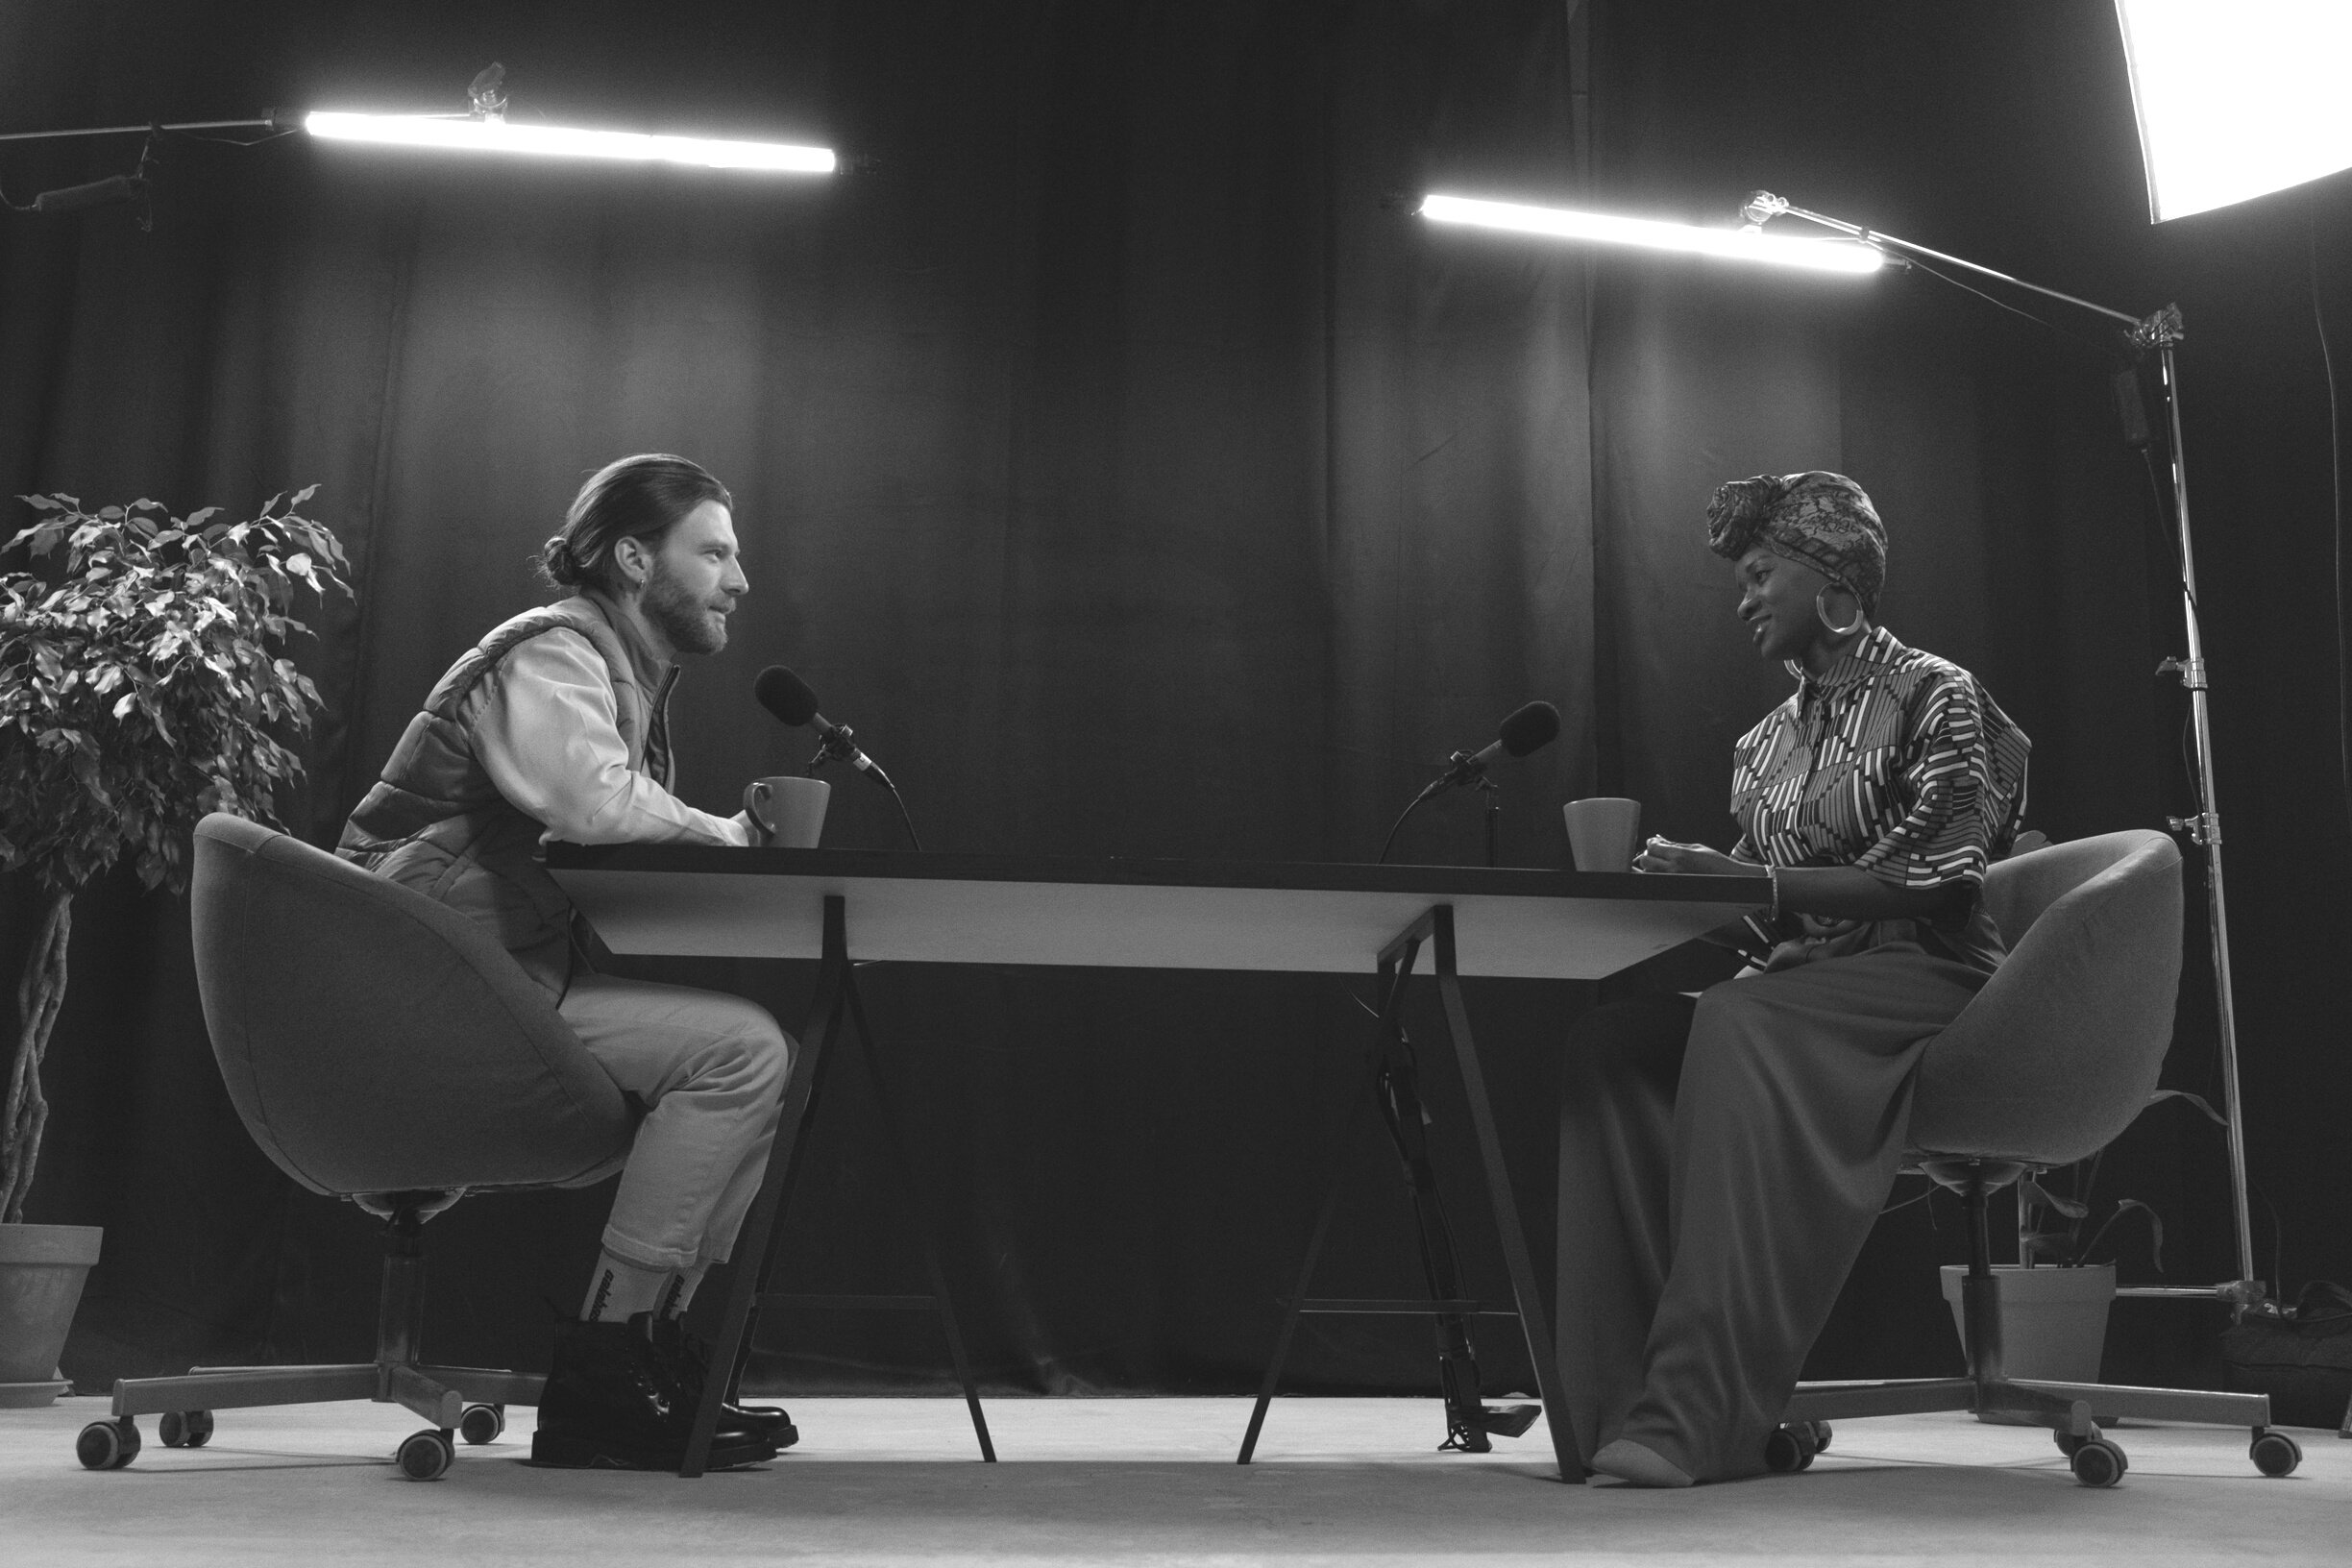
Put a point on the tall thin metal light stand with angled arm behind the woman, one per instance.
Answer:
(2158, 333)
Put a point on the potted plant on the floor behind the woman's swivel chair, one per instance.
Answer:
(2054, 1296)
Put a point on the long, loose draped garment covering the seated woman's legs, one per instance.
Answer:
(1720, 1167)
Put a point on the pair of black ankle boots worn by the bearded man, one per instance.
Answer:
(617, 1402)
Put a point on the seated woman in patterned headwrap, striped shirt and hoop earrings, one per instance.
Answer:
(1723, 1160)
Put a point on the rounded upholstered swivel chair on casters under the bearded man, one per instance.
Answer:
(389, 1052)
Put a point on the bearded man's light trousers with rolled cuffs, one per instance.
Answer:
(711, 1073)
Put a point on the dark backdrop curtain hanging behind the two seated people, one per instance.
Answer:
(1140, 483)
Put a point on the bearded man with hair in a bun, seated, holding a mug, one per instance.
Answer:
(556, 730)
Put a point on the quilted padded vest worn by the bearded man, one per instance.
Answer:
(439, 824)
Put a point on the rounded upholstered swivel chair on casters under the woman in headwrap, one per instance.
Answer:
(2043, 1068)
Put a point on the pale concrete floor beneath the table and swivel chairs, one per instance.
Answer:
(1144, 1482)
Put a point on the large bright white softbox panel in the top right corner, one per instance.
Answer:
(2236, 100)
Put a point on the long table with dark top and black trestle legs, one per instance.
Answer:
(843, 906)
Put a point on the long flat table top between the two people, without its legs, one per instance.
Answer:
(1271, 916)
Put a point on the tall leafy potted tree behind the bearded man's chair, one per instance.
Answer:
(142, 685)
